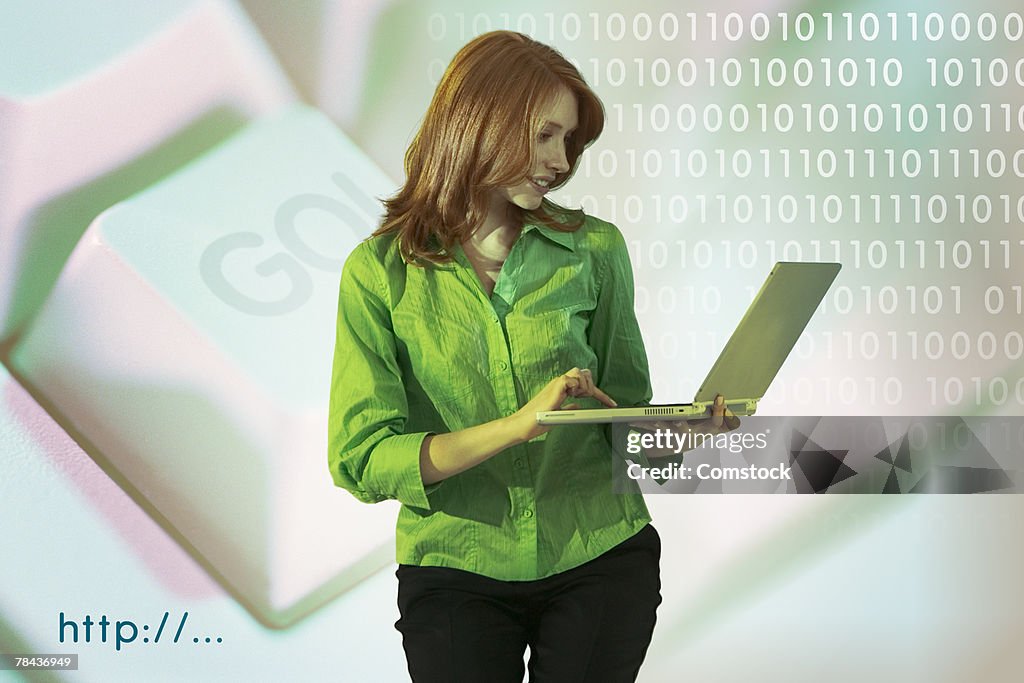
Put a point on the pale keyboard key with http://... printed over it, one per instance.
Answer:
(73, 542)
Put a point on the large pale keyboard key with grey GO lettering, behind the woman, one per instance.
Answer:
(191, 339)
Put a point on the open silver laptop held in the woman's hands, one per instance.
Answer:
(750, 361)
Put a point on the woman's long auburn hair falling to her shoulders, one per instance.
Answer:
(478, 137)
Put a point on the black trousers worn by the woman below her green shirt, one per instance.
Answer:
(590, 624)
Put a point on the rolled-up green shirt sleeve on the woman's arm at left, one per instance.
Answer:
(369, 453)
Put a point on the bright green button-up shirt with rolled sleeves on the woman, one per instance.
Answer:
(426, 351)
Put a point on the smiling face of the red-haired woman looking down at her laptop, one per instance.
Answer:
(560, 122)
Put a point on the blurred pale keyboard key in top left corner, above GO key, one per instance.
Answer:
(101, 100)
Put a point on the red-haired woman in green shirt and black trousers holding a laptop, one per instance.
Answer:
(477, 305)
